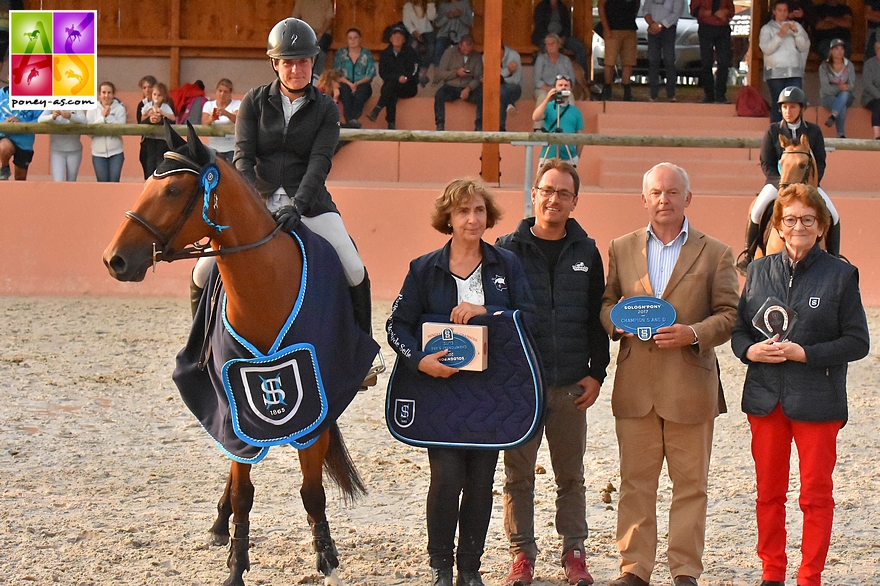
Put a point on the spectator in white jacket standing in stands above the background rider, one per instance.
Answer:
(785, 45)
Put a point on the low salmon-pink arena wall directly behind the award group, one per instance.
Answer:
(53, 235)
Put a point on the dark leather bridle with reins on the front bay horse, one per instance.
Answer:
(209, 177)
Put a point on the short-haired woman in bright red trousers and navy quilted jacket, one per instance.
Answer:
(796, 389)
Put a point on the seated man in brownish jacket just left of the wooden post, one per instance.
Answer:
(461, 71)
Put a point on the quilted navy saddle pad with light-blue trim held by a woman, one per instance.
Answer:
(498, 408)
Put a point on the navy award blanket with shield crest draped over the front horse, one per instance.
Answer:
(248, 401)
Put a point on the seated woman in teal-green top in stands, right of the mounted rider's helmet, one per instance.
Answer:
(357, 68)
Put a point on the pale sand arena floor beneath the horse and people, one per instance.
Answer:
(108, 479)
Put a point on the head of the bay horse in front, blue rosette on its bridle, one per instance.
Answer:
(174, 210)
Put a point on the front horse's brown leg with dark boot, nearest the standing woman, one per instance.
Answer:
(315, 501)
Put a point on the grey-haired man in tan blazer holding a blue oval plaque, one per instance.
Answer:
(667, 390)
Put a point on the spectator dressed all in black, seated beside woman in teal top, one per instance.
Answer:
(399, 70)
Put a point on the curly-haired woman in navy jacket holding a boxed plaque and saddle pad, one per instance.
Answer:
(465, 278)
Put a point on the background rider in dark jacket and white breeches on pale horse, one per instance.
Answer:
(792, 102)
